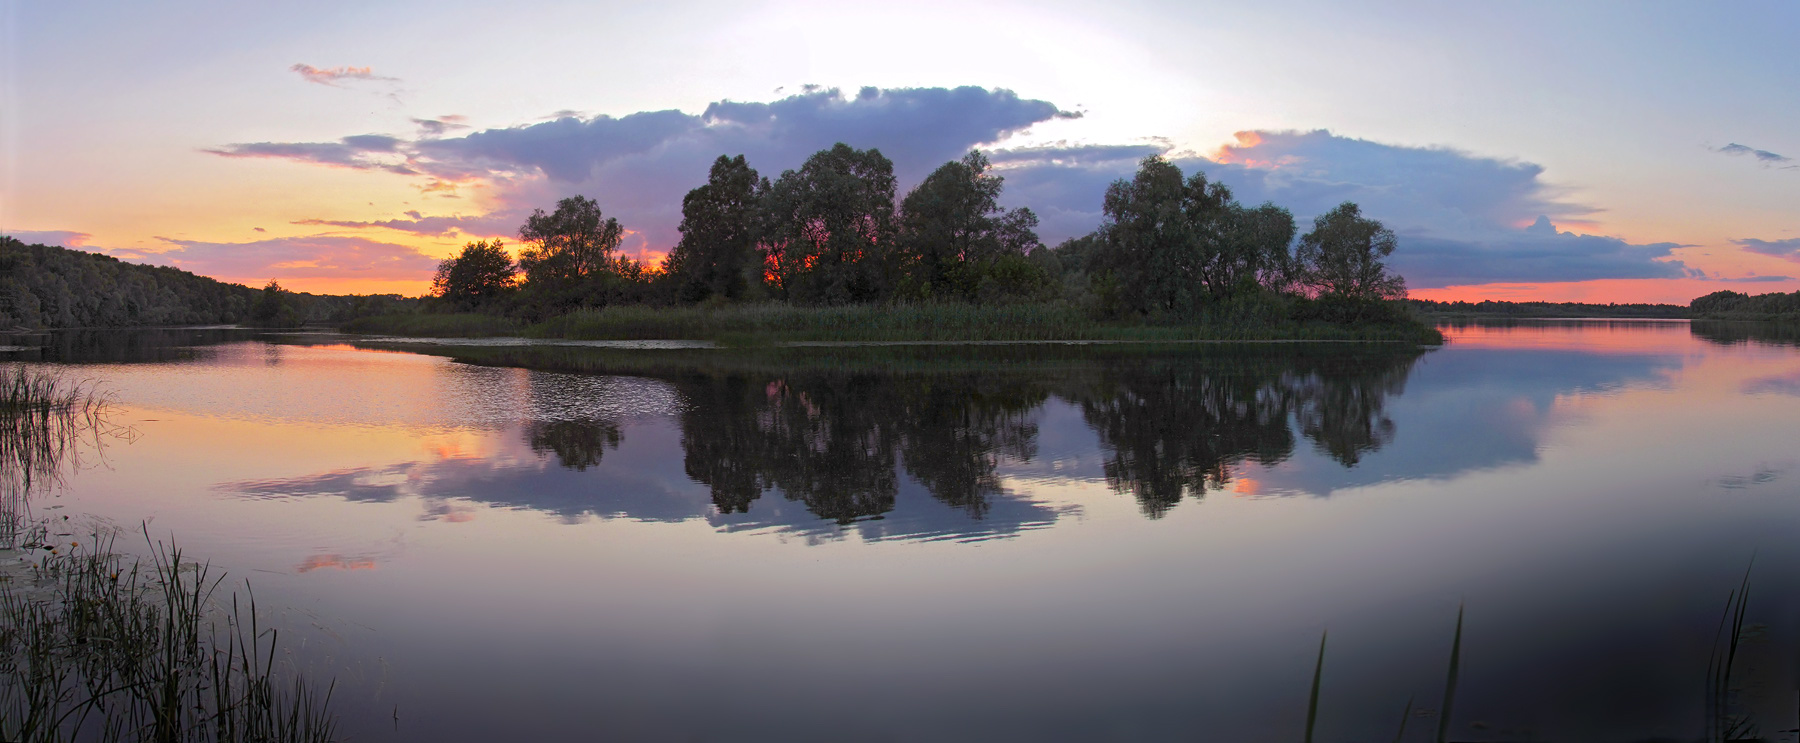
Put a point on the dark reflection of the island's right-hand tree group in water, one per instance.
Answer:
(1180, 425)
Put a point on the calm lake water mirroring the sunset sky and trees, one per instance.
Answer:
(926, 544)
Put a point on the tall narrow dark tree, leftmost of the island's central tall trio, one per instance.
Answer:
(717, 233)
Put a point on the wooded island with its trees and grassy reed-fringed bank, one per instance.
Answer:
(827, 253)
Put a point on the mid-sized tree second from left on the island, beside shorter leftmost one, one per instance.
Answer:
(568, 246)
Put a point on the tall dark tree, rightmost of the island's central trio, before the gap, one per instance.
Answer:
(953, 226)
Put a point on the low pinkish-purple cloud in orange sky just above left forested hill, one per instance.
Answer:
(300, 258)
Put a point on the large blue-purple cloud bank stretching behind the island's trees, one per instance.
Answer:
(1462, 219)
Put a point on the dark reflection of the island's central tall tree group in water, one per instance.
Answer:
(832, 440)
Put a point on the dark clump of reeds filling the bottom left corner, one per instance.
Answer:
(100, 650)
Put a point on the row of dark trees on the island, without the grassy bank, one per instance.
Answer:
(834, 233)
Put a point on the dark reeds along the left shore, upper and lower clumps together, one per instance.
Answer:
(96, 647)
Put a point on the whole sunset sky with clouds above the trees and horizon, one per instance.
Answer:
(1605, 152)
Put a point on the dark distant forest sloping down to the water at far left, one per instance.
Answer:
(51, 287)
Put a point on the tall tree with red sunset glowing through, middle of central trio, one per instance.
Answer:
(829, 228)
